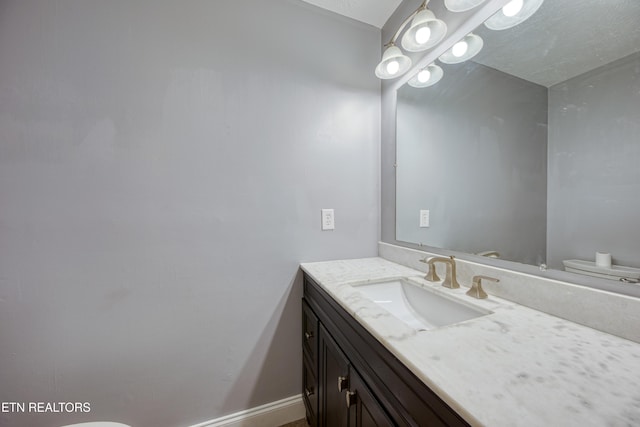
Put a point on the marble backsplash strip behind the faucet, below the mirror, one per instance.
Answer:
(605, 311)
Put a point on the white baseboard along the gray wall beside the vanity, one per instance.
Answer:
(272, 414)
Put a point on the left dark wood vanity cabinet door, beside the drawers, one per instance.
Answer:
(334, 383)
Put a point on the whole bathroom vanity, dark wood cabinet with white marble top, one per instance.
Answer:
(509, 366)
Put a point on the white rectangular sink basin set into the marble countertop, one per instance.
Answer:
(420, 308)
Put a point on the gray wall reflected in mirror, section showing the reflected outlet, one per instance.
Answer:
(473, 150)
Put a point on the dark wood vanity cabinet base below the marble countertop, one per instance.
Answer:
(351, 380)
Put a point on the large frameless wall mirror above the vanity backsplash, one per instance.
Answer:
(530, 151)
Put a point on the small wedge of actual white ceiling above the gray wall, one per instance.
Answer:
(372, 12)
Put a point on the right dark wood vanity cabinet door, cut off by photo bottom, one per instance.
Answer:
(364, 408)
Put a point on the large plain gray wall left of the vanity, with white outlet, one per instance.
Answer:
(162, 169)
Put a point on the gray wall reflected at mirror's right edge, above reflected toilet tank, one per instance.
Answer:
(594, 173)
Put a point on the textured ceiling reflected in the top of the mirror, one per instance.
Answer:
(565, 38)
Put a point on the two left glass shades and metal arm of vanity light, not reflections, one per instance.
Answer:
(425, 32)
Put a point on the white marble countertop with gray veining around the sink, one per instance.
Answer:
(514, 367)
